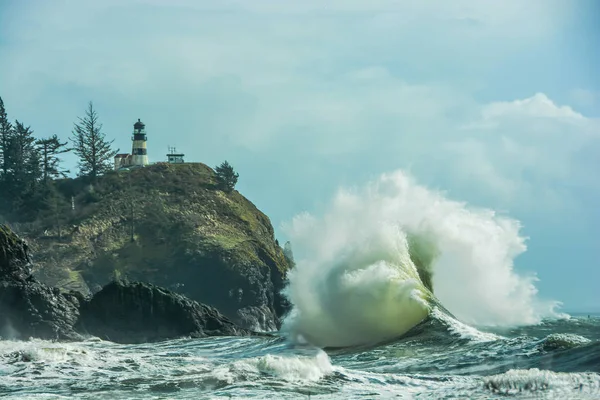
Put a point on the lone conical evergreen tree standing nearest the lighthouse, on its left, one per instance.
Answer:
(90, 144)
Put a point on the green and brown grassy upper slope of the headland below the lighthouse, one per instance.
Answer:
(148, 218)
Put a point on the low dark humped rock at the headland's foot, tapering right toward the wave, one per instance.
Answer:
(139, 312)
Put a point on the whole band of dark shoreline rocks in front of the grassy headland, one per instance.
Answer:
(121, 312)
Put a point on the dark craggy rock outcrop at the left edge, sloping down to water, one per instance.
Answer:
(29, 308)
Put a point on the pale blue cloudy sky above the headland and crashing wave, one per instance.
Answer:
(495, 103)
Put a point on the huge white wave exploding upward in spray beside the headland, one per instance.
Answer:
(366, 269)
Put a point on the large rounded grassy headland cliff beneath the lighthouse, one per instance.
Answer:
(168, 225)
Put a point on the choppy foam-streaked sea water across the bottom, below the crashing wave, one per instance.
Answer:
(440, 358)
